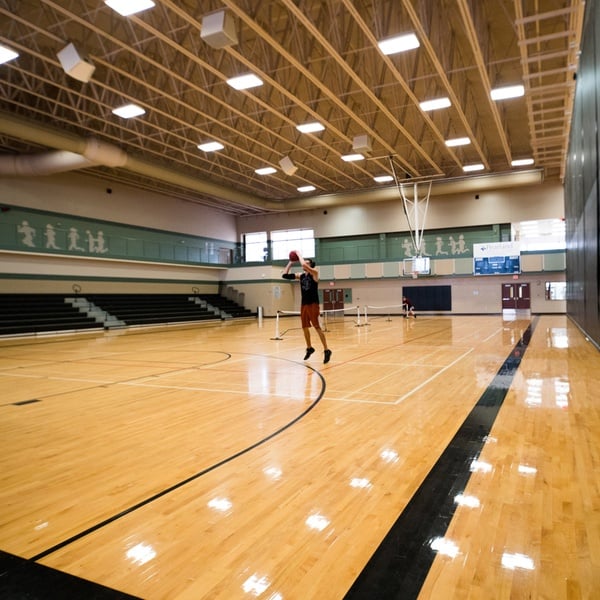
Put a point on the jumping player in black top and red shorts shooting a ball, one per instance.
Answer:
(309, 306)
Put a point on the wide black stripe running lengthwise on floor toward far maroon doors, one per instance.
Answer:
(399, 566)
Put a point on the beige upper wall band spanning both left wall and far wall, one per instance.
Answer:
(86, 196)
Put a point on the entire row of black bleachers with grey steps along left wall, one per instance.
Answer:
(23, 314)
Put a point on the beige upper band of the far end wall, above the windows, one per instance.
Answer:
(542, 201)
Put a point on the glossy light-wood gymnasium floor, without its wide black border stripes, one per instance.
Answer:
(213, 462)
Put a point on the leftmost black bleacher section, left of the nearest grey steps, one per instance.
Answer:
(40, 313)
